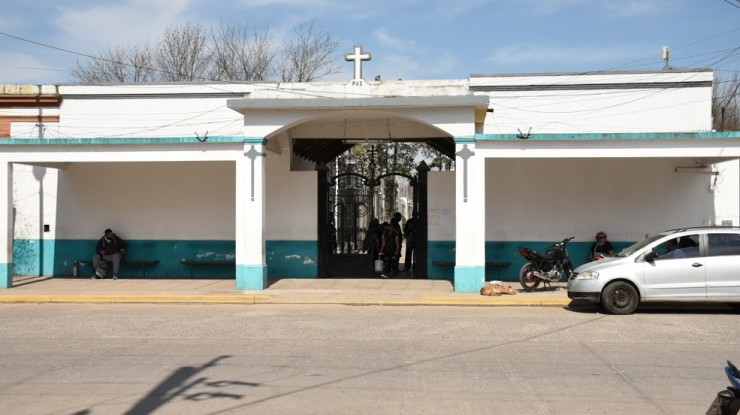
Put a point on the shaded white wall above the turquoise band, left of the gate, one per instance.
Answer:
(193, 201)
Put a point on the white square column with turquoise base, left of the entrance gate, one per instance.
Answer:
(251, 267)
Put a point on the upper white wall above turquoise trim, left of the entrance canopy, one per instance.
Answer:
(155, 110)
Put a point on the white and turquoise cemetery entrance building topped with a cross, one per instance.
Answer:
(240, 180)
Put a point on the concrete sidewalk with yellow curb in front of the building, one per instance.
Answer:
(284, 291)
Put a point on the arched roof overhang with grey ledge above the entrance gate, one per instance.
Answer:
(331, 126)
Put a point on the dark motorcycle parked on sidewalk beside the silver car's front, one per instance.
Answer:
(546, 267)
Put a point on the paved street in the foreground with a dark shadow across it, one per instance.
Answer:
(319, 359)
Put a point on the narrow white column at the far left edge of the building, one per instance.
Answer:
(6, 225)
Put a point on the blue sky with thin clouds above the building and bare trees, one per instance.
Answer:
(408, 39)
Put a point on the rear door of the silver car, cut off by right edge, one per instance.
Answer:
(723, 265)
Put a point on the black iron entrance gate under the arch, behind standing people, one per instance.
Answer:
(348, 202)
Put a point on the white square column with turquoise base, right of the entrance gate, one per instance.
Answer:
(470, 225)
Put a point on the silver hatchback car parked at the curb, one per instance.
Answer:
(691, 264)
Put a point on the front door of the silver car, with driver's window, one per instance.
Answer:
(677, 273)
